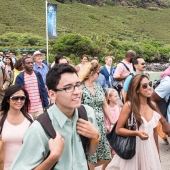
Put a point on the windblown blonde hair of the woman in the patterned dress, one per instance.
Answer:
(87, 70)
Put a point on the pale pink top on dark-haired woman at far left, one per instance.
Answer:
(13, 136)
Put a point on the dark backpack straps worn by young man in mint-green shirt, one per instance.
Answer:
(45, 122)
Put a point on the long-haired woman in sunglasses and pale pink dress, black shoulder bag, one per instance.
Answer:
(138, 102)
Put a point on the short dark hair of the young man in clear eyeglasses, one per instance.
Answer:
(54, 75)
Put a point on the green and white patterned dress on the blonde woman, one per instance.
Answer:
(96, 101)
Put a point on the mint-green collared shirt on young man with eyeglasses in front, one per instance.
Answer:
(35, 143)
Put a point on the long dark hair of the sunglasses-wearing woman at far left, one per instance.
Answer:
(5, 103)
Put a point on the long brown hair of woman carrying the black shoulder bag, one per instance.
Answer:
(133, 97)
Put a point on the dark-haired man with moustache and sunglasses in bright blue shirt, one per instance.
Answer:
(139, 66)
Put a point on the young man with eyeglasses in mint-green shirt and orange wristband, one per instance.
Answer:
(66, 149)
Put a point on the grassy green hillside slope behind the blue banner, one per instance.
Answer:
(123, 23)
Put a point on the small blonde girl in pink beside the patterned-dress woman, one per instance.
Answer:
(112, 100)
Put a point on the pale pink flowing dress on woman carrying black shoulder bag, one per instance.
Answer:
(146, 157)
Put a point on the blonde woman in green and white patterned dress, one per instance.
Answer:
(93, 95)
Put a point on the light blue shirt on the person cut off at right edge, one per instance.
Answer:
(163, 91)
